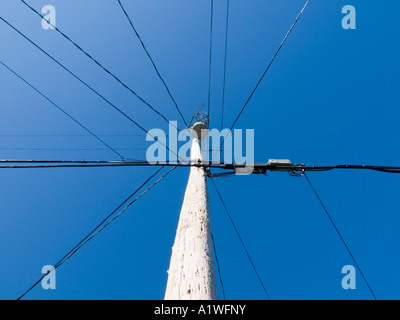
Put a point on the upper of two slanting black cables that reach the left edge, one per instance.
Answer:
(83, 82)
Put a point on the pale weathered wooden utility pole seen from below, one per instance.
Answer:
(191, 275)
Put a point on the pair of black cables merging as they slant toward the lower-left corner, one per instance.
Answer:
(93, 234)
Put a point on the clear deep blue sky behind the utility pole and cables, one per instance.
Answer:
(329, 98)
